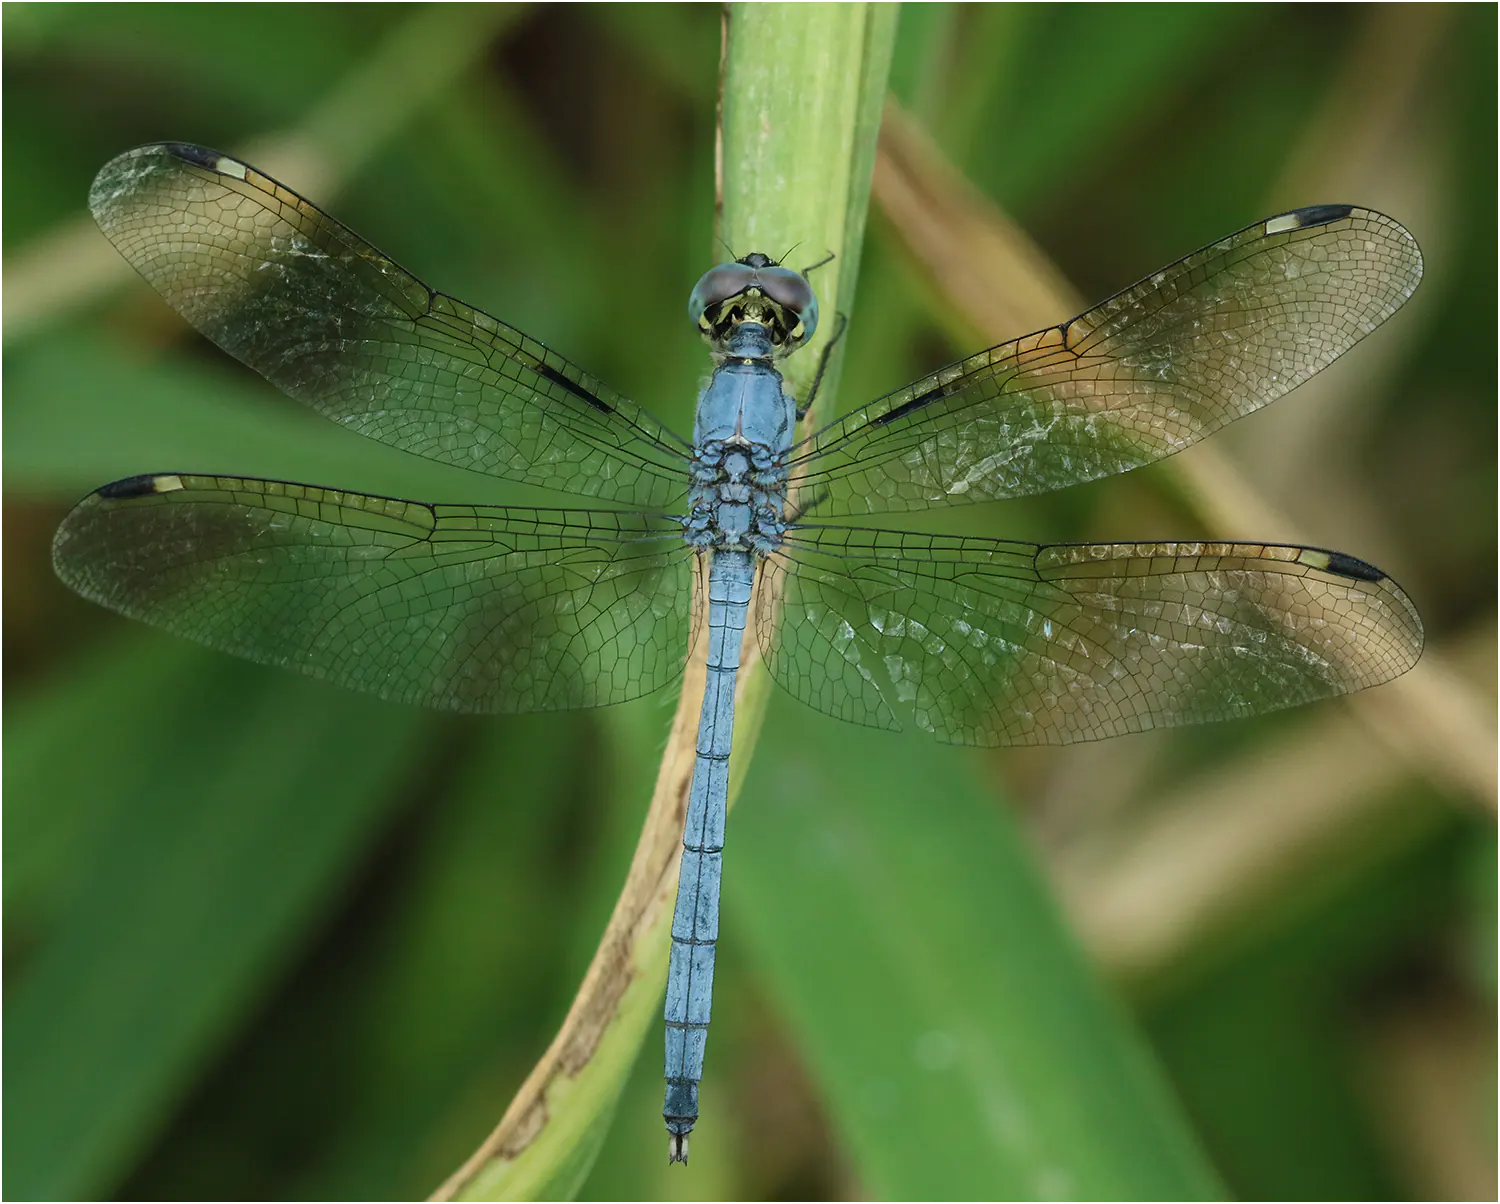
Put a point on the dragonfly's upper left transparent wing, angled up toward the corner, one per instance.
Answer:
(328, 319)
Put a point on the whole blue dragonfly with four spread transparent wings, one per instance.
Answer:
(509, 609)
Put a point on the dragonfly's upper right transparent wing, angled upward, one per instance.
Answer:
(1135, 380)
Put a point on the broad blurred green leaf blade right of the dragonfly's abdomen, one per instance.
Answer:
(964, 1046)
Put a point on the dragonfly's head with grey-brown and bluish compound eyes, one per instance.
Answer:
(755, 290)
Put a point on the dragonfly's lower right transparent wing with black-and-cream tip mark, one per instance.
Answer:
(997, 642)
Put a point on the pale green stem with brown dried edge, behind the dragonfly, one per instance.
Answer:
(802, 110)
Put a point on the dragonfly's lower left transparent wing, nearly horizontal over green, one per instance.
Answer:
(461, 608)
